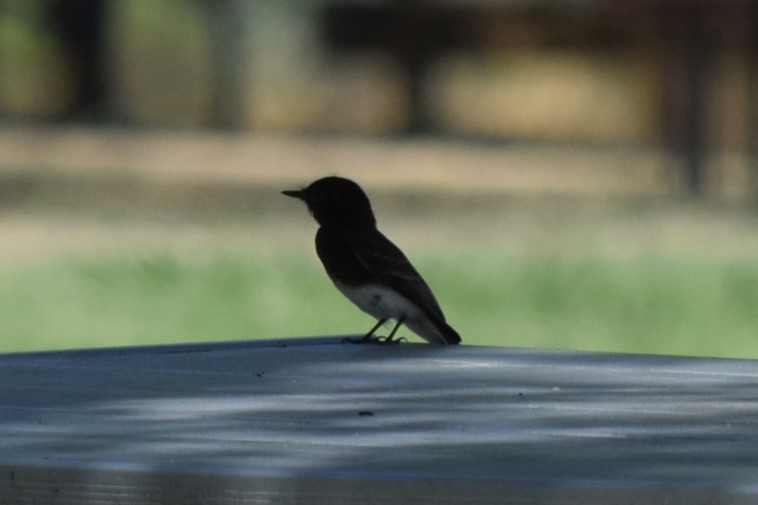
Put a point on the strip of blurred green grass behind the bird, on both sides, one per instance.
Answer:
(648, 304)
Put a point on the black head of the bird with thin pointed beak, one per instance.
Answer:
(336, 201)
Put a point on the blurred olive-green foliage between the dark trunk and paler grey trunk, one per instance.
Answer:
(161, 62)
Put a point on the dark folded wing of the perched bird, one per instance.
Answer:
(390, 266)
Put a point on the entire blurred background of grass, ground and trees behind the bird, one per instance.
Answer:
(568, 174)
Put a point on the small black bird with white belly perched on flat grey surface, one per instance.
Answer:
(366, 267)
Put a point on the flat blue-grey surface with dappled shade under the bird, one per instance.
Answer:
(317, 421)
